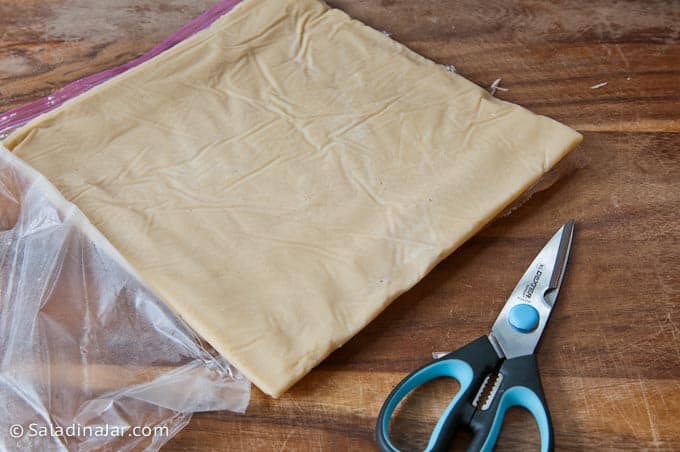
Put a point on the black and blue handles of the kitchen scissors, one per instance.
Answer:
(519, 386)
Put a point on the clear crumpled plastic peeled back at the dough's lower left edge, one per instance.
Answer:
(89, 357)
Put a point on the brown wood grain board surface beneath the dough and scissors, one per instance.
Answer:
(610, 359)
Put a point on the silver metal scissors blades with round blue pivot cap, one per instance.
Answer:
(520, 324)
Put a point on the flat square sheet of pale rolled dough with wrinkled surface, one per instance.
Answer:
(282, 176)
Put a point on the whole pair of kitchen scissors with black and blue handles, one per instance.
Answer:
(507, 352)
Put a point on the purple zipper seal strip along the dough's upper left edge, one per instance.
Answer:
(19, 116)
